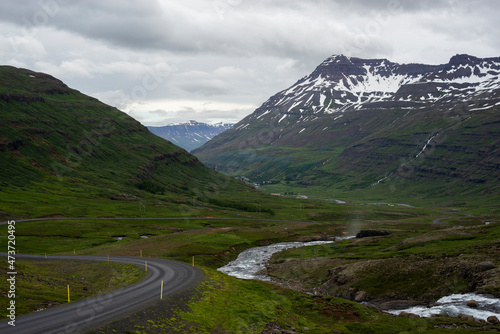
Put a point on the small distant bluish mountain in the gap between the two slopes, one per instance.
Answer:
(189, 135)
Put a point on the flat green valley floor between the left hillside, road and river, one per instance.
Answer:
(212, 241)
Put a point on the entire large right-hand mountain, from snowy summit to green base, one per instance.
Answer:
(374, 128)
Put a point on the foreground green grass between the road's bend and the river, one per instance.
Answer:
(229, 305)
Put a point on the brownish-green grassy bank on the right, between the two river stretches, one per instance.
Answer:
(421, 262)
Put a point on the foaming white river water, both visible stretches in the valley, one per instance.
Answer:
(253, 260)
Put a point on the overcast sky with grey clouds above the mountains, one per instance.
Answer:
(165, 61)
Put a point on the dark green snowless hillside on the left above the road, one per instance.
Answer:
(65, 153)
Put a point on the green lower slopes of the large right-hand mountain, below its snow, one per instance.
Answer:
(355, 152)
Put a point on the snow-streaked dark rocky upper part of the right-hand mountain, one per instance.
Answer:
(341, 83)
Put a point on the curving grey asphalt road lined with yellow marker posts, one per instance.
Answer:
(81, 316)
